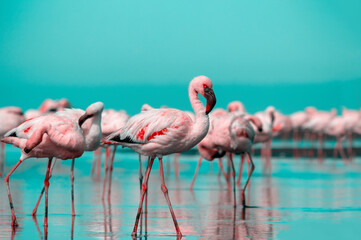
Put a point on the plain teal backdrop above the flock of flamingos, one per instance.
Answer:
(289, 54)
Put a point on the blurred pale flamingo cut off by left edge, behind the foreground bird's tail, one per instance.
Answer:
(10, 117)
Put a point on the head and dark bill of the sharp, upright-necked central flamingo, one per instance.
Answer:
(204, 86)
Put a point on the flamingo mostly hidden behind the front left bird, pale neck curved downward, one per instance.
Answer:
(90, 122)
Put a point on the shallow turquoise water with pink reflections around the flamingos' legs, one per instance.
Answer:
(302, 199)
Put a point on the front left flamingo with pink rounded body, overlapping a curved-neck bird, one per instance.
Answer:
(45, 137)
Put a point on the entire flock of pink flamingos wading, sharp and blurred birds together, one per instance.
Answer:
(57, 131)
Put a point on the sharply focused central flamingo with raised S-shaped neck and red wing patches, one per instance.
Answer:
(160, 132)
